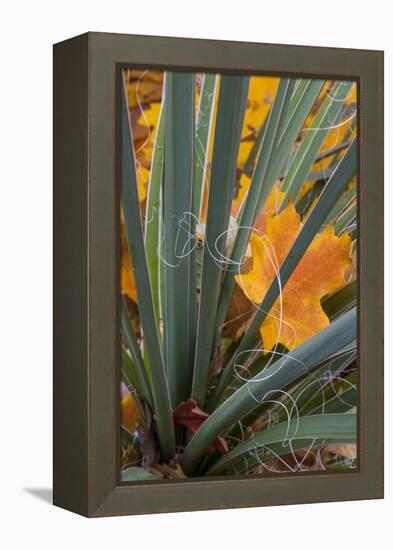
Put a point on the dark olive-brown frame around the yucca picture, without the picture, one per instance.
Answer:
(86, 354)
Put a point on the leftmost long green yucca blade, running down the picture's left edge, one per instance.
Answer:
(135, 241)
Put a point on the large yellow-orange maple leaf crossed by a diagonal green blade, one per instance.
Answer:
(320, 272)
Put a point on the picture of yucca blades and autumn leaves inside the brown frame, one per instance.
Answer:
(238, 310)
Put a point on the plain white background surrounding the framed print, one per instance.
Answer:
(28, 30)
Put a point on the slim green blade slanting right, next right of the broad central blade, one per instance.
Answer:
(257, 186)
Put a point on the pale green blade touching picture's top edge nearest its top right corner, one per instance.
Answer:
(305, 156)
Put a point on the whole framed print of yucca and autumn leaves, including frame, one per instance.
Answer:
(218, 260)
